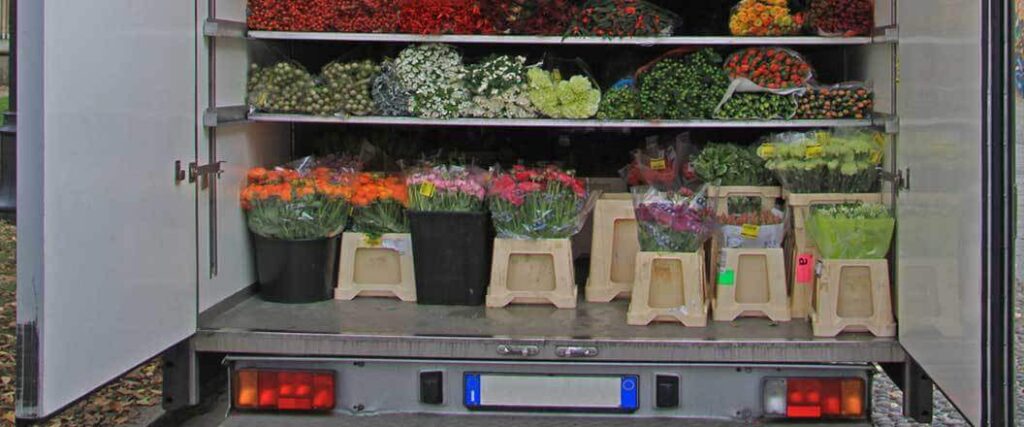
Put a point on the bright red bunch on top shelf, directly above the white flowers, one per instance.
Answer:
(444, 17)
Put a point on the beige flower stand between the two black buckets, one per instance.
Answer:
(381, 268)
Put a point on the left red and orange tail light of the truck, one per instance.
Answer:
(284, 391)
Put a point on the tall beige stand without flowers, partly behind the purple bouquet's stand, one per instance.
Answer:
(614, 250)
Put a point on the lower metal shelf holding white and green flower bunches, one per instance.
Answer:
(554, 123)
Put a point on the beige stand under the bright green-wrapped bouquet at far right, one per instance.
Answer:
(855, 296)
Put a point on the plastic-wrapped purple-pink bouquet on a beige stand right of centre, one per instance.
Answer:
(673, 222)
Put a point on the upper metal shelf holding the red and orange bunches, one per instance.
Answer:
(559, 40)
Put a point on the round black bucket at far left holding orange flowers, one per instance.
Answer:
(296, 272)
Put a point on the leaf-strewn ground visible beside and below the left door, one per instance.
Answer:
(118, 404)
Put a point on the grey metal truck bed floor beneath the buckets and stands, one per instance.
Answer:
(383, 328)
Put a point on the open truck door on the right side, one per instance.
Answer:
(955, 221)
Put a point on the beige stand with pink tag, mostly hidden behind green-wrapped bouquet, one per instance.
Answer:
(801, 248)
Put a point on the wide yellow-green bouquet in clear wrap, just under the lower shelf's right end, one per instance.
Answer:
(826, 162)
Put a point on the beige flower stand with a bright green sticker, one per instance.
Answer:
(751, 283)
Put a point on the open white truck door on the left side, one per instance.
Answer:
(107, 237)
